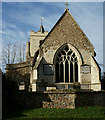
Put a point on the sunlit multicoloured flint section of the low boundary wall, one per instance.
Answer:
(60, 100)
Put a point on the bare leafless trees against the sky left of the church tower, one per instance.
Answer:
(13, 53)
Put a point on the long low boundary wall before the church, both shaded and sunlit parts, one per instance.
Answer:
(58, 99)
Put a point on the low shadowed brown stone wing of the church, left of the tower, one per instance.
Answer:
(19, 72)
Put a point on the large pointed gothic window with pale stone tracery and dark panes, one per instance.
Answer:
(66, 66)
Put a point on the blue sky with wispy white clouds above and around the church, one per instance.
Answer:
(19, 18)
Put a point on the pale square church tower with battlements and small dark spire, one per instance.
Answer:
(35, 40)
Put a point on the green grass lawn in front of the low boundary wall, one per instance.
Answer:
(81, 112)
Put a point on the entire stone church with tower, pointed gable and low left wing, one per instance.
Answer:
(57, 59)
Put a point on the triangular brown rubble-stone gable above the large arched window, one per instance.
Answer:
(66, 30)
